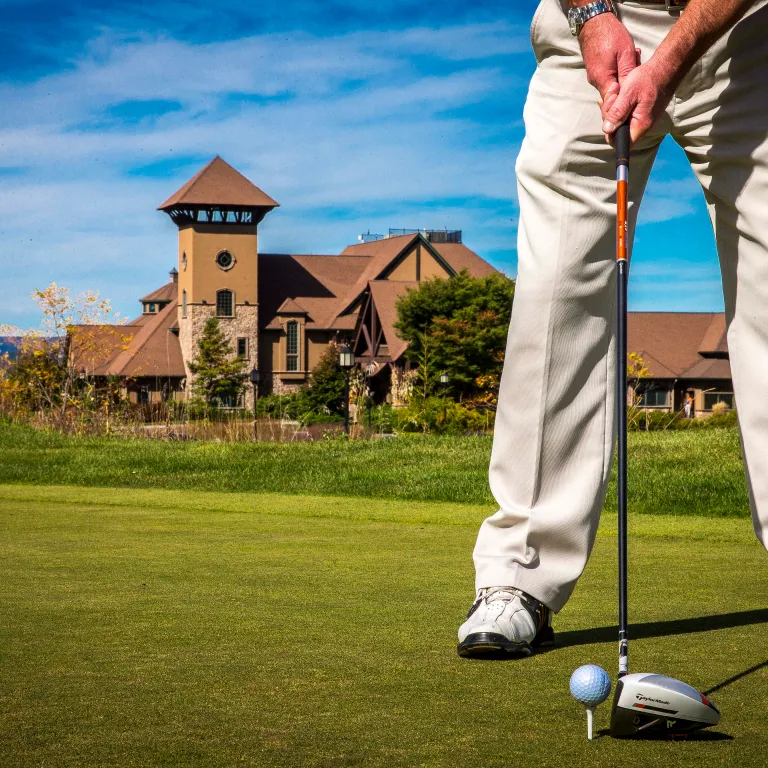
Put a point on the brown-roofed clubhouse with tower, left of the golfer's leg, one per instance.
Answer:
(279, 311)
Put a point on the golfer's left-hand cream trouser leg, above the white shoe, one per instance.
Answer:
(555, 424)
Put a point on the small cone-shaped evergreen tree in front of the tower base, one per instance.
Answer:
(218, 374)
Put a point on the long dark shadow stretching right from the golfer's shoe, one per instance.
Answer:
(662, 628)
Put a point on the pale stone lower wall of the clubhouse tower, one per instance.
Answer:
(244, 324)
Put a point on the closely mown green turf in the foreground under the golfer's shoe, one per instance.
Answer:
(183, 628)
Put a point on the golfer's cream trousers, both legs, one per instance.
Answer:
(555, 427)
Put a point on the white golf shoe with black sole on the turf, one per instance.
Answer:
(505, 621)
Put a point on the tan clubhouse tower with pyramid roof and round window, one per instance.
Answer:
(218, 212)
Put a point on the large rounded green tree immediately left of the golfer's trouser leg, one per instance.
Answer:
(461, 324)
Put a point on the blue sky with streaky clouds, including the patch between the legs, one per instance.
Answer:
(354, 117)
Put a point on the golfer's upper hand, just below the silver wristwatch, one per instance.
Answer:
(609, 56)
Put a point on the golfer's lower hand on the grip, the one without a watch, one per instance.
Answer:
(643, 97)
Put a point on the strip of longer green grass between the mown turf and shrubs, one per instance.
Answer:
(679, 473)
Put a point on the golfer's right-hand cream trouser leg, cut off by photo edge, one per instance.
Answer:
(723, 126)
